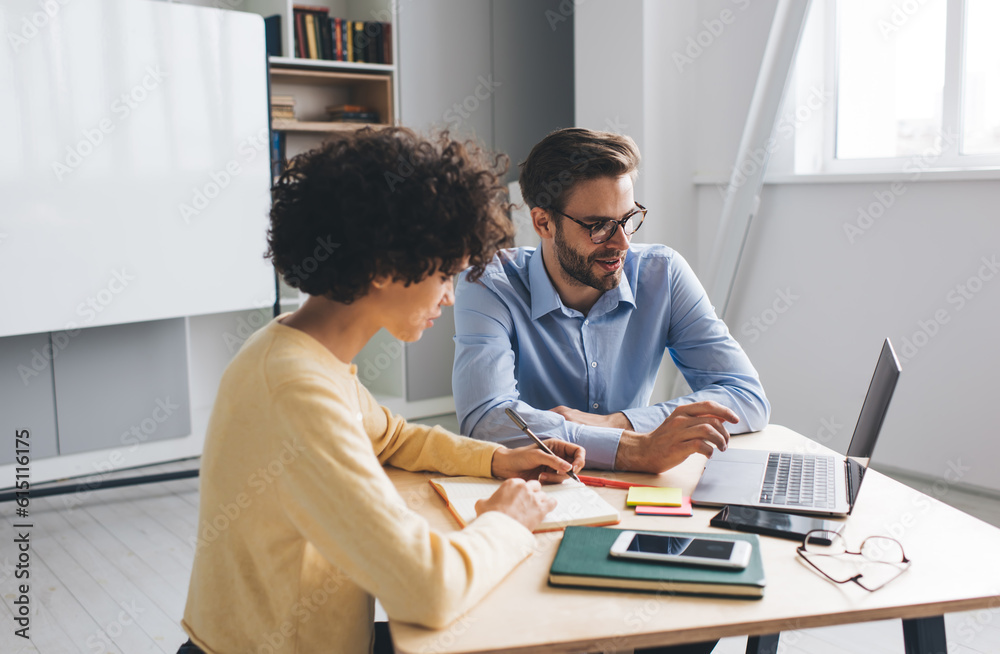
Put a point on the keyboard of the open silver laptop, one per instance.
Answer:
(799, 480)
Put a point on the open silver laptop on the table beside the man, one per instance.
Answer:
(798, 482)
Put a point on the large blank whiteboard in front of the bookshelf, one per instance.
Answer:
(134, 165)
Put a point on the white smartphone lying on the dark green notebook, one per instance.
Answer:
(670, 548)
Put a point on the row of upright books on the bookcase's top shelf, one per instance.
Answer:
(320, 36)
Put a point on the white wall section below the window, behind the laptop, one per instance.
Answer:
(899, 279)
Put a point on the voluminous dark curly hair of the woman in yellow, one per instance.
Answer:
(386, 202)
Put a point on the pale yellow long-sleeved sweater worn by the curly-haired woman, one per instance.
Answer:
(299, 526)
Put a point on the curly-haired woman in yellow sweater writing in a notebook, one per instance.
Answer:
(299, 526)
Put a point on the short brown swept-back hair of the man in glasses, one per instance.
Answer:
(568, 156)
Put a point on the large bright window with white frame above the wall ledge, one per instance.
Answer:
(911, 83)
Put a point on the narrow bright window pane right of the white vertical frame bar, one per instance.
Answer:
(981, 80)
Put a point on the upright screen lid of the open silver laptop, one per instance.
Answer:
(872, 416)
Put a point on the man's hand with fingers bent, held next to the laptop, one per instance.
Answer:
(691, 428)
